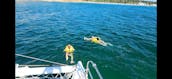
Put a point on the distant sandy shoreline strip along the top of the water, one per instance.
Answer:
(79, 1)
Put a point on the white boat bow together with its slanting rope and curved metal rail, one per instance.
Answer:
(58, 71)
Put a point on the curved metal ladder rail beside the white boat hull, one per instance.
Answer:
(95, 67)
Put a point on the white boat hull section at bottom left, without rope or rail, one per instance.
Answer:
(70, 71)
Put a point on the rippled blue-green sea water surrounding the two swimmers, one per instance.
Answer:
(43, 29)
